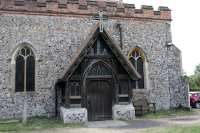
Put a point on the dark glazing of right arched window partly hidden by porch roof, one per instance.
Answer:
(137, 61)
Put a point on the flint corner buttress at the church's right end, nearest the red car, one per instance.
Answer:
(179, 86)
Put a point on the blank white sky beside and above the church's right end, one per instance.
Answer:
(185, 28)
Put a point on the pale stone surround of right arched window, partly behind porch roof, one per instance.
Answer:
(145, 63)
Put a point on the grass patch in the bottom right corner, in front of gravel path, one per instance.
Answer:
(191, 128)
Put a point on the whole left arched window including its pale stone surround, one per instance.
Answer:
(24, 68)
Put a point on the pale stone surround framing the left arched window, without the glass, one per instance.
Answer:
(13, 65)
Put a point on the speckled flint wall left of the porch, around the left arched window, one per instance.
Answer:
(56, 39)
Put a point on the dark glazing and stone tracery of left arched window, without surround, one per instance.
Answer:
(25, 70)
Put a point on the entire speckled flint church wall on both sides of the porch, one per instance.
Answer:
(56, 40)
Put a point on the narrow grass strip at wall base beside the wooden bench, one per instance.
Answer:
(168, 113)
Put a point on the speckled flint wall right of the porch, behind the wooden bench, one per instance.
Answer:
(150, 37)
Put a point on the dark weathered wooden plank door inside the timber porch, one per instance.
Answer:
(99, 100)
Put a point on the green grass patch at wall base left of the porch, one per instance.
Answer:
(36, 123)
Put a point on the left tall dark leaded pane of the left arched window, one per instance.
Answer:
(19, 79)
